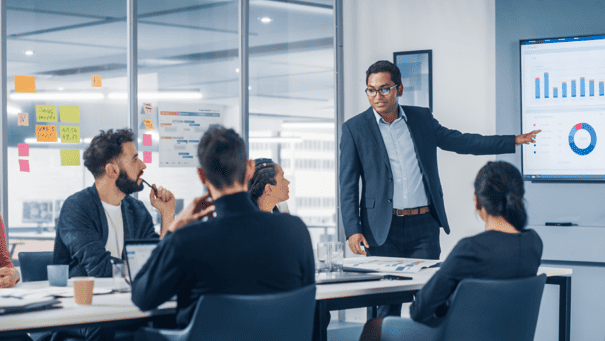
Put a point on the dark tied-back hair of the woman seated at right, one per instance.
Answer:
(499, 189)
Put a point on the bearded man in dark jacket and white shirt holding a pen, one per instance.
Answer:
(94, 222)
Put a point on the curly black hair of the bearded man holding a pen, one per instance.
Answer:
(104, 148)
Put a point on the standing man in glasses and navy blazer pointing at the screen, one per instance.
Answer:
(394, 150)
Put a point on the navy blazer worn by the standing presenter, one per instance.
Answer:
(363, 154)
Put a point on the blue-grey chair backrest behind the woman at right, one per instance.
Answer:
(494, 310)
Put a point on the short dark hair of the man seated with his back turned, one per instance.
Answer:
(223, 155)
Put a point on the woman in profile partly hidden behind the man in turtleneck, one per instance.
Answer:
(268, 185)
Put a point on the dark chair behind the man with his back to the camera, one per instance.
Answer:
(279, 316)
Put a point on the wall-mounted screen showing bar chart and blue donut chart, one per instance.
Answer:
(562, 93)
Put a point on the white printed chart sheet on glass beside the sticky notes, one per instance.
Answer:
(181, 131)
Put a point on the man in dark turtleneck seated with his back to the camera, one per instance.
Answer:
(240, 251)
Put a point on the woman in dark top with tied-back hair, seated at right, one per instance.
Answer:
(505, 250)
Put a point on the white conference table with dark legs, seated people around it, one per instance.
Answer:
(117, 309)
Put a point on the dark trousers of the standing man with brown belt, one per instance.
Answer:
(414, 236)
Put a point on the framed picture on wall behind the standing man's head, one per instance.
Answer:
(416, 69)
